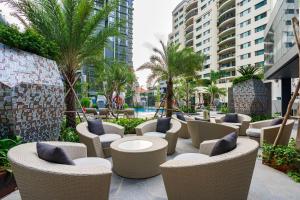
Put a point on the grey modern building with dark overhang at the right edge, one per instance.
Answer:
(281, 54)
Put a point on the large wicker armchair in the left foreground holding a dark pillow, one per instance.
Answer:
(38, 179)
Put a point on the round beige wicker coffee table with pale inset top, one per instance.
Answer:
(138, 156)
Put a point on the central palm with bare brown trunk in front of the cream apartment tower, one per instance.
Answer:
(171, 62)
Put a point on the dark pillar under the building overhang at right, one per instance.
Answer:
(285, 94)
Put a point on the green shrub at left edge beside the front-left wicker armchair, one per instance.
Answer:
(5, 145)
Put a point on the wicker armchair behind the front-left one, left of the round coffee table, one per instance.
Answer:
(97, 147)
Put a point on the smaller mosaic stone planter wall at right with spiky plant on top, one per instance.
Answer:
(252, 97)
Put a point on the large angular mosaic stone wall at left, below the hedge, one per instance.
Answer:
(31, 96)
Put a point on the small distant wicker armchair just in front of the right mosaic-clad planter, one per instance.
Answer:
(243, 123)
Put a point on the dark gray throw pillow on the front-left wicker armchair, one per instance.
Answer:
(53, 154)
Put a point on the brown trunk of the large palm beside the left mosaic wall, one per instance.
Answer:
(70, 102)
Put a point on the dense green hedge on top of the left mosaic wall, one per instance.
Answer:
(29, 41)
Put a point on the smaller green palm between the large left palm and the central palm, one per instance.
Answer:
(115, 76)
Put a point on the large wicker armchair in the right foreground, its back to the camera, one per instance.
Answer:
(223, 177)
